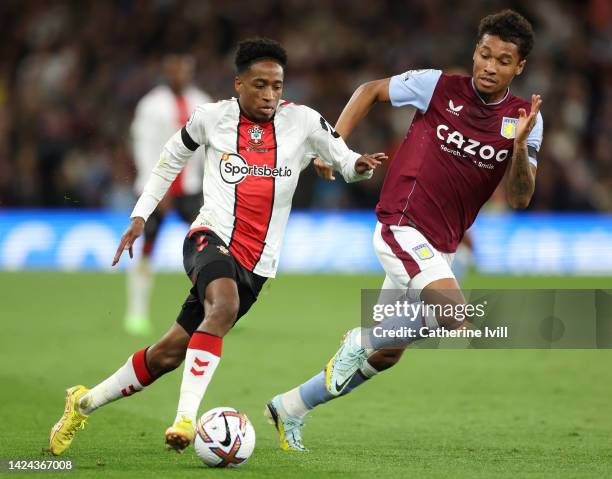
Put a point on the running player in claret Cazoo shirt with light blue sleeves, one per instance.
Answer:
(469, 133)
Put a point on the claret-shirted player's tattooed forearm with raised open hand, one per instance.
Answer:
(521, 175)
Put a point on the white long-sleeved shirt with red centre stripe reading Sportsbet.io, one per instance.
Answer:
(251, 171)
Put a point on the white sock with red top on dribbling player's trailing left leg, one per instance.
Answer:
(130, 378)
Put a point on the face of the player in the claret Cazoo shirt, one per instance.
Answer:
(496, 62)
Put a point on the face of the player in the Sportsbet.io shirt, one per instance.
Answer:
(259, 89)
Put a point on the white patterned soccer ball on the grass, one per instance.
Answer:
(224, 437)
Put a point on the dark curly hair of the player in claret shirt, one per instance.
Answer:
(510, 26)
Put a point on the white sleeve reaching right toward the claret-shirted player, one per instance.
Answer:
(331, 148)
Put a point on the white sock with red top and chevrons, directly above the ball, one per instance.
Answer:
(203, 356)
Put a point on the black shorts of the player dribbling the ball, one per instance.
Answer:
(206, 258)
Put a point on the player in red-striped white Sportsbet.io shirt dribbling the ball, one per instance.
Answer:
(254, 148)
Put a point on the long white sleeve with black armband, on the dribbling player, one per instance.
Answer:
(177, 150)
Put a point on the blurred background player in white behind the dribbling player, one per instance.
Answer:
(158, 115)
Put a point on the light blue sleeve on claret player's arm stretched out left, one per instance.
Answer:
(414, 87)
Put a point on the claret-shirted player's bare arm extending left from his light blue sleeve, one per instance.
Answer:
(360, 103)
